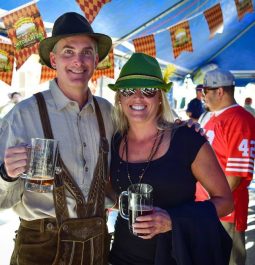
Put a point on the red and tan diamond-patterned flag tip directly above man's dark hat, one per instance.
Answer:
(91, 8)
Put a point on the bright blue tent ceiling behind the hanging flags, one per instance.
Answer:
(127, 20)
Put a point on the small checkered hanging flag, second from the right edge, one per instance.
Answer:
(214, 20)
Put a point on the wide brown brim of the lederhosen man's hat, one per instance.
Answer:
(104, 44)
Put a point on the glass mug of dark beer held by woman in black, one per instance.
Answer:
(140, 202)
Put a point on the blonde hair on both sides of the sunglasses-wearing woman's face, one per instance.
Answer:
(165, 117)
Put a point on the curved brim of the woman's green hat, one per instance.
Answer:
(140, 83)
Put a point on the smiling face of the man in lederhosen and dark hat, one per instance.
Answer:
(75, 59)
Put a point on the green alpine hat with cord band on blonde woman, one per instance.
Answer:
(141, 71)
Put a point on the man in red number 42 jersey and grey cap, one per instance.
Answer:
(231, 131)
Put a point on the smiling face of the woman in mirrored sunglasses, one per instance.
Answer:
(139, 108)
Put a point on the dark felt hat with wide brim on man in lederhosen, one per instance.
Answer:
(71, 24)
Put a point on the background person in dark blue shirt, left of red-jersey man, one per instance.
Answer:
(195, 107)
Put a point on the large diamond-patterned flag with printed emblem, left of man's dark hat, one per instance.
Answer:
(25, 29)
